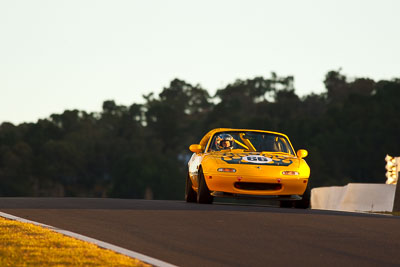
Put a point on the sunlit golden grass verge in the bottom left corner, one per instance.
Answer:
(24, 244)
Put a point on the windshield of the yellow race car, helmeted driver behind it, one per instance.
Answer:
(250, 141)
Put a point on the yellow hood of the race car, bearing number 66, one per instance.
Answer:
(254, 158)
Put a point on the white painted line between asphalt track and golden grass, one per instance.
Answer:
(99, 243)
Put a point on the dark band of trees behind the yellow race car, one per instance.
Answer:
(141, 150)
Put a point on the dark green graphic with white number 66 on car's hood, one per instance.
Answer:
(256, 158)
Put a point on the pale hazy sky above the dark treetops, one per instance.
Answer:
(57, 55)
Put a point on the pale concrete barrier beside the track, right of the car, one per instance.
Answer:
(354, 197)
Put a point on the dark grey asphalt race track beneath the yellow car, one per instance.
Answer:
(222, 234)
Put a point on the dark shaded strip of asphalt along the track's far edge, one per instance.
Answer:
(161, 205)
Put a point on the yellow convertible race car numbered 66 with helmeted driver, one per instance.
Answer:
(243, 163)
